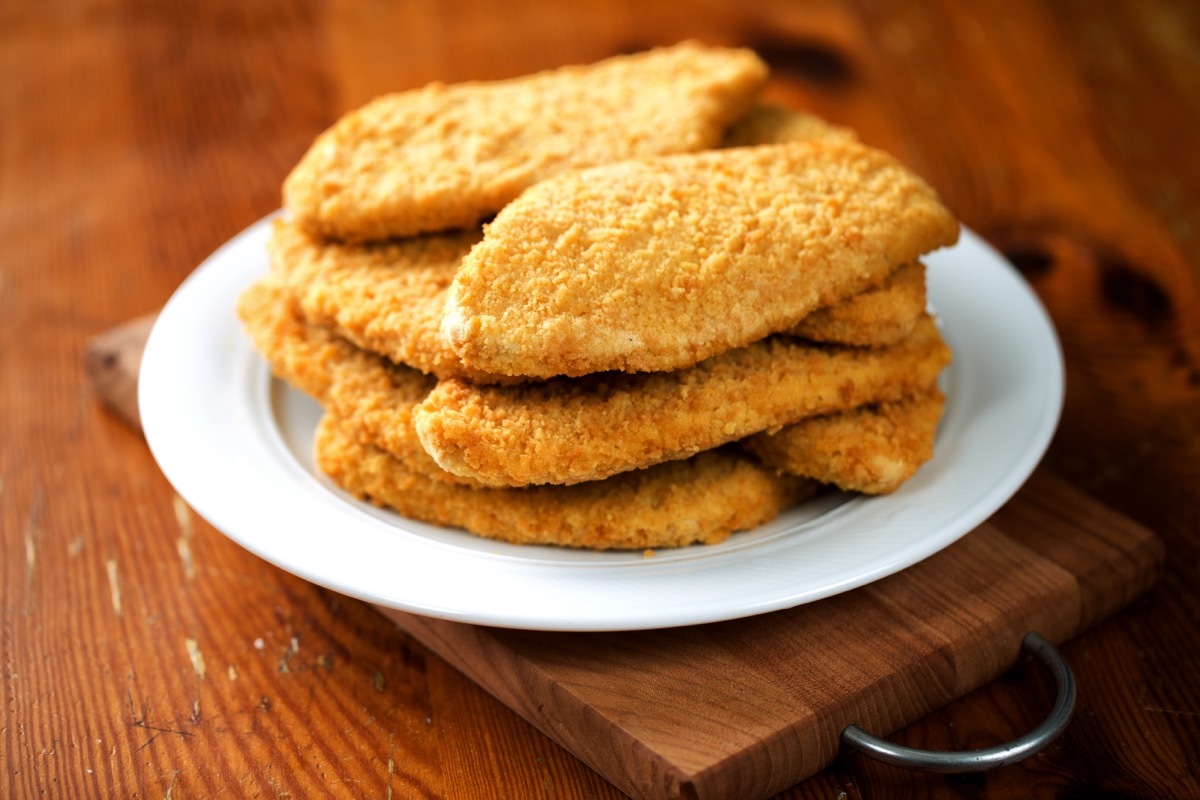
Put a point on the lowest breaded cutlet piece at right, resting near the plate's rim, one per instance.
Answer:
(872, 449)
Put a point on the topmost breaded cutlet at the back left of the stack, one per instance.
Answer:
(448, 157)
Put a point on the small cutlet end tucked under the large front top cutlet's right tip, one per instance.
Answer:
(875, 317)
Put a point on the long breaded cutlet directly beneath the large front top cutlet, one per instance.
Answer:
(567, 431)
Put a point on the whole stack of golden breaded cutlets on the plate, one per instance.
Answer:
(610, 306)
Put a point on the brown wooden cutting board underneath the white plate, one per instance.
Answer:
(747, 708)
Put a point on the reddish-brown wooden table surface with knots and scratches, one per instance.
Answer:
(145, 655)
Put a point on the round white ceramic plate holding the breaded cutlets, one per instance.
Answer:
(236, 446)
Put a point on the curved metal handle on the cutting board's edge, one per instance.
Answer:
(977, 761)
